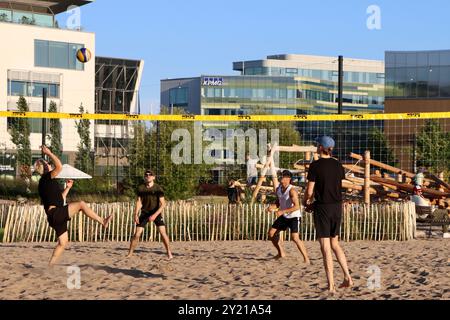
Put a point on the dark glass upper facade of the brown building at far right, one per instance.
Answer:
(418, 74)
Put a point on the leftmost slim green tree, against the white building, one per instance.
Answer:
(20, 135)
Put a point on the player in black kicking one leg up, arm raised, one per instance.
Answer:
(53, 199)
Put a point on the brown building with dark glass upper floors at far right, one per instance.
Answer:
(416, 81)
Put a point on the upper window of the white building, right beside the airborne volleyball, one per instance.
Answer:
(52, 54)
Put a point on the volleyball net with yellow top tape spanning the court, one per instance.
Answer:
(193, 155)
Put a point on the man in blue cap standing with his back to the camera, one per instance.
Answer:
(324, 185)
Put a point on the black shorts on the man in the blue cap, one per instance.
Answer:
(327, 219)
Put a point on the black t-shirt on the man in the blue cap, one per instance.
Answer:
(328, 175)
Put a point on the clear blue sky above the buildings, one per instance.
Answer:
(183, 38)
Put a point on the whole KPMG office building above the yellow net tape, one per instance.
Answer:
(281, 84)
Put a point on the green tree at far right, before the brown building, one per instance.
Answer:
(433, 147)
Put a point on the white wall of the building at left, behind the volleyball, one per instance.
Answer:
(76, 87)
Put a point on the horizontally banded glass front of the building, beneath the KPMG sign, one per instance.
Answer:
(286, 95)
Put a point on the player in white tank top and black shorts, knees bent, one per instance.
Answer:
(289, 214)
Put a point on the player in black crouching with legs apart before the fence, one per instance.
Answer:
(150, 204)
